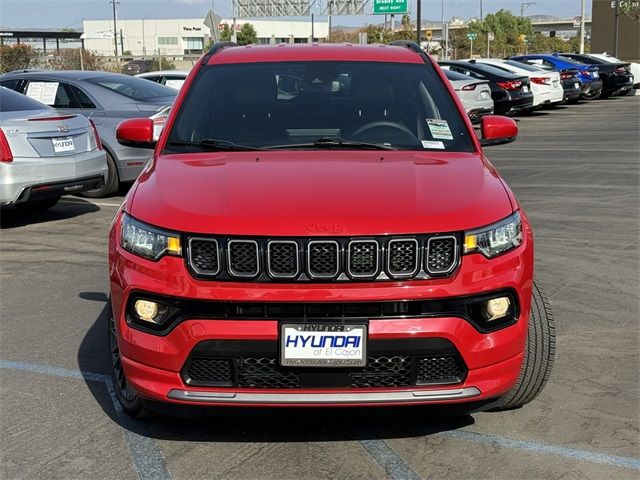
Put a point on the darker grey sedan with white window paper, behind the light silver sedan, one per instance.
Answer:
(106, 98)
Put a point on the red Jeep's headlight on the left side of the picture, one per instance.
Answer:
(147, 241)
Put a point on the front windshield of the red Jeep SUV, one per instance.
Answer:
(318, 105)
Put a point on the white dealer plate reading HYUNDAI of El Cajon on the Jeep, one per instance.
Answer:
(323, 345)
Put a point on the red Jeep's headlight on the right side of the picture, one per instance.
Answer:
(495, 239)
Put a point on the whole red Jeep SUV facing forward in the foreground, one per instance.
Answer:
(319, 226)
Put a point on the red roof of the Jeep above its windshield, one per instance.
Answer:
(316, 52)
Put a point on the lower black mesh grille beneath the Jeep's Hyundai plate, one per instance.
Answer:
(397, 363)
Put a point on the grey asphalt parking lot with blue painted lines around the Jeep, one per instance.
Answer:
(575, 170)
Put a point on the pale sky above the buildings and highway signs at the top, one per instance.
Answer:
(70, 13)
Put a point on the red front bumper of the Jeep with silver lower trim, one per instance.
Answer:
(154, 363)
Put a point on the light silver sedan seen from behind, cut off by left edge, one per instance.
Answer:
(45, 154)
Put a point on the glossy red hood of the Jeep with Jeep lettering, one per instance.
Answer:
(320, 193)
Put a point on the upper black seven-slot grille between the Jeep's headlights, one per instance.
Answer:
(340, 259)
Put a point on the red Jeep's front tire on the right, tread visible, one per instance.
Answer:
(538, 358)
